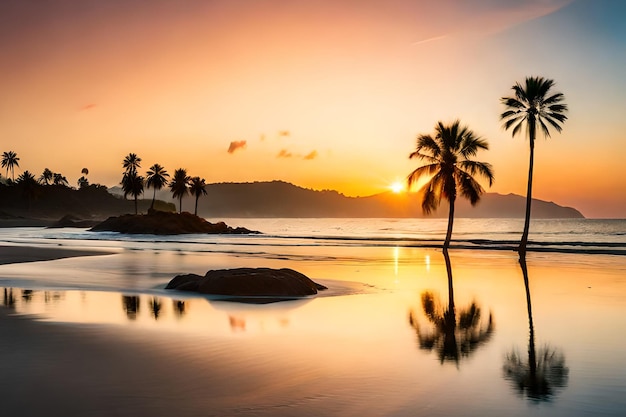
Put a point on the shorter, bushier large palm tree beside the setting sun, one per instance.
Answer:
(449, 167)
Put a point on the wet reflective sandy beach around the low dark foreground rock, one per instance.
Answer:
(98, 335)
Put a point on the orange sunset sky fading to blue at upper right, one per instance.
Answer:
(325, 94)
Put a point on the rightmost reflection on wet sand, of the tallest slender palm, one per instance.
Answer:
(545, 369)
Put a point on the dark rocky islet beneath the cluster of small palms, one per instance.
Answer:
(164, 223)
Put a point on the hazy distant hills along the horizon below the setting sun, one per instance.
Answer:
(282, 199)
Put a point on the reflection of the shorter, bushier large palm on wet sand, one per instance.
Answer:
(452, 338)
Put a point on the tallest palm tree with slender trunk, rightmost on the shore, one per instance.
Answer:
(534, 105)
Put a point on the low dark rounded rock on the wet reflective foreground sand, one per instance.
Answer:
(248, 282)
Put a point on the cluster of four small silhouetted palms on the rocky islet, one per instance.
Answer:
(156, 178)
